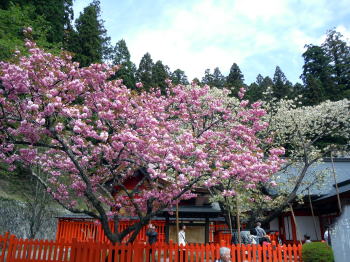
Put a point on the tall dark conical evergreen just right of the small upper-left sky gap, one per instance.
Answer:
(89, 43)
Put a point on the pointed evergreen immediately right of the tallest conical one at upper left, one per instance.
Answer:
(127, 70)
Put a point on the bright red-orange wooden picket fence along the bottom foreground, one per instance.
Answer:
(13, 249)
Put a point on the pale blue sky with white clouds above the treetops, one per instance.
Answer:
(194, 35)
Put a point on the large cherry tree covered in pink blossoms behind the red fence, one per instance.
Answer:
(90, 135)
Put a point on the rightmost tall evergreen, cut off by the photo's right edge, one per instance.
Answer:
(339, 53)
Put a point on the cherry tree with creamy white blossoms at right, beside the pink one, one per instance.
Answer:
(309, 133)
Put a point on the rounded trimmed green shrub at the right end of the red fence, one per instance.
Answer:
(317, 252)
